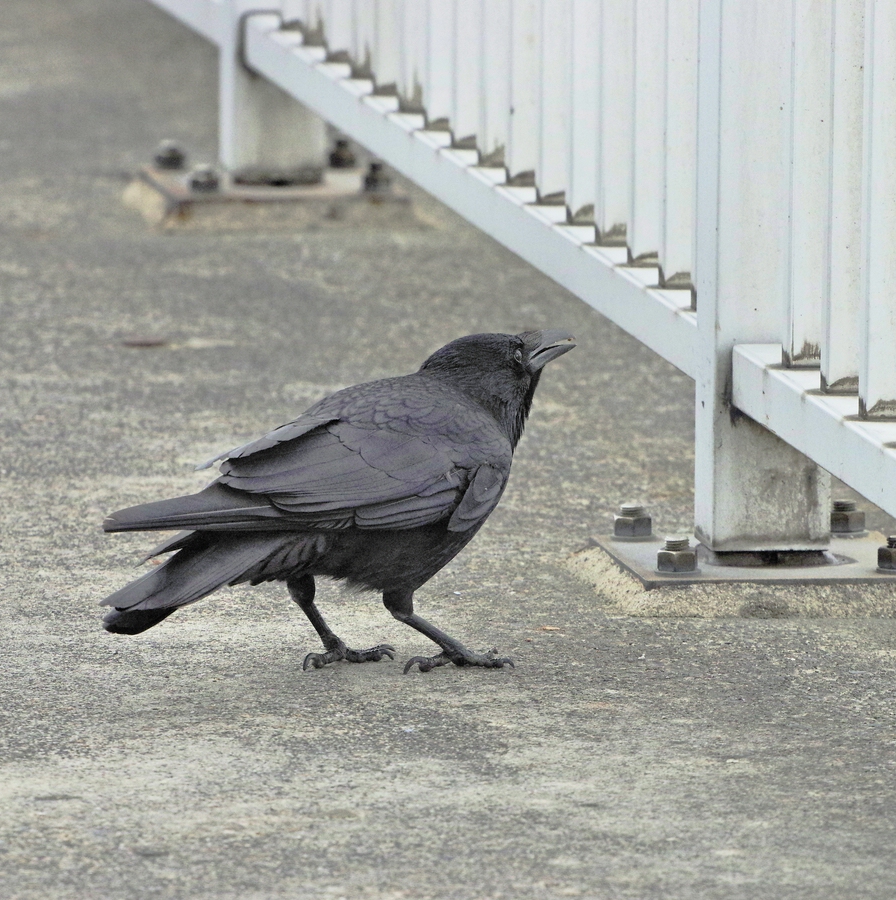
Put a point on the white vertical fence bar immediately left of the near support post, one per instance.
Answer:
(677, 250)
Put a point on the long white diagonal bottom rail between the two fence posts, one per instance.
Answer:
(661, 320)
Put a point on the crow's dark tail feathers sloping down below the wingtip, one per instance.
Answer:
(205, 563)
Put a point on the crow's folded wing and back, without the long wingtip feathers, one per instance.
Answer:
(387, 459)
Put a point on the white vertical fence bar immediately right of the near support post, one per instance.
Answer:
(809, 180)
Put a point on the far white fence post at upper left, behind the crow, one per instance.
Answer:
(260, 126)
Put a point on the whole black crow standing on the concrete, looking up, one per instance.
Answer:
(380, 485)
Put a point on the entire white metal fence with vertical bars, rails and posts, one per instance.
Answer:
(644, 154)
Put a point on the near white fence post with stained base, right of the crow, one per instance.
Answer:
(752, 491)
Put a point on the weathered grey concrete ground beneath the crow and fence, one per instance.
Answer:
(624, 757)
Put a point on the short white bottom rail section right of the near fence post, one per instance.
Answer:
(790, 403)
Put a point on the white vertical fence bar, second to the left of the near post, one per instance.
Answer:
(648, 165)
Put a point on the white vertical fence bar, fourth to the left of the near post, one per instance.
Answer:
(582, 179)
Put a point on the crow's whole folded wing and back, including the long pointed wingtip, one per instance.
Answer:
(388, 455)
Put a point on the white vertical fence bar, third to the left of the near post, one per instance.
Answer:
(616, 130)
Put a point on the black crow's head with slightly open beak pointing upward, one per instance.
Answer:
(500, 371)
